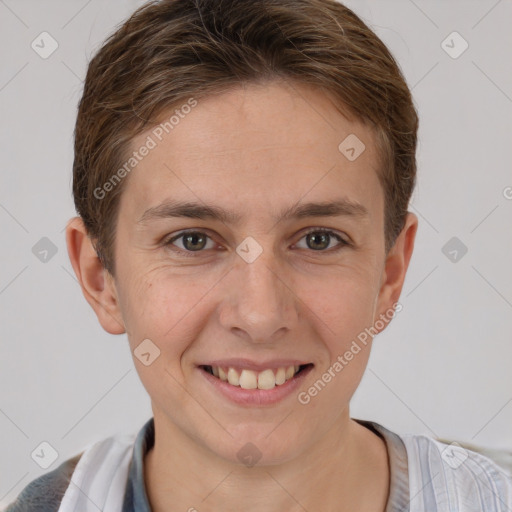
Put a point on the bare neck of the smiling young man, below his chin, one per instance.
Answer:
(347, 470)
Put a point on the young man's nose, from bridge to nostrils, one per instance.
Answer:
(259, 303)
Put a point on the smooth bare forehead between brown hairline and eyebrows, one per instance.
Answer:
(255, 147)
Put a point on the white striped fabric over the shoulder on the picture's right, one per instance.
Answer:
(454, 476)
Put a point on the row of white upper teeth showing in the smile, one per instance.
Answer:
(249, 379)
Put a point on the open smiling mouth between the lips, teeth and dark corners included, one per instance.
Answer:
(248, 379)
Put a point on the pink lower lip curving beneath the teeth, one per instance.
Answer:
(256, 397)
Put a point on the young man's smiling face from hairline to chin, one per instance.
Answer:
(260, 280)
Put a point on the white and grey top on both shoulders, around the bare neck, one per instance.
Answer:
(426, 476)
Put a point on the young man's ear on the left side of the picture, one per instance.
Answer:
(97, 283)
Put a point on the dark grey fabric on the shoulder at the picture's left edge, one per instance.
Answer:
(45, 493)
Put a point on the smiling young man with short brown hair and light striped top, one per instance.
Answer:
(242, 175)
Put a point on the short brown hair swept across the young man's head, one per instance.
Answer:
(171, 50)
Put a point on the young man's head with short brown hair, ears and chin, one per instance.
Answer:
(264, 114)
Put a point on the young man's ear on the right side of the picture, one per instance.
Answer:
(395, 268)
